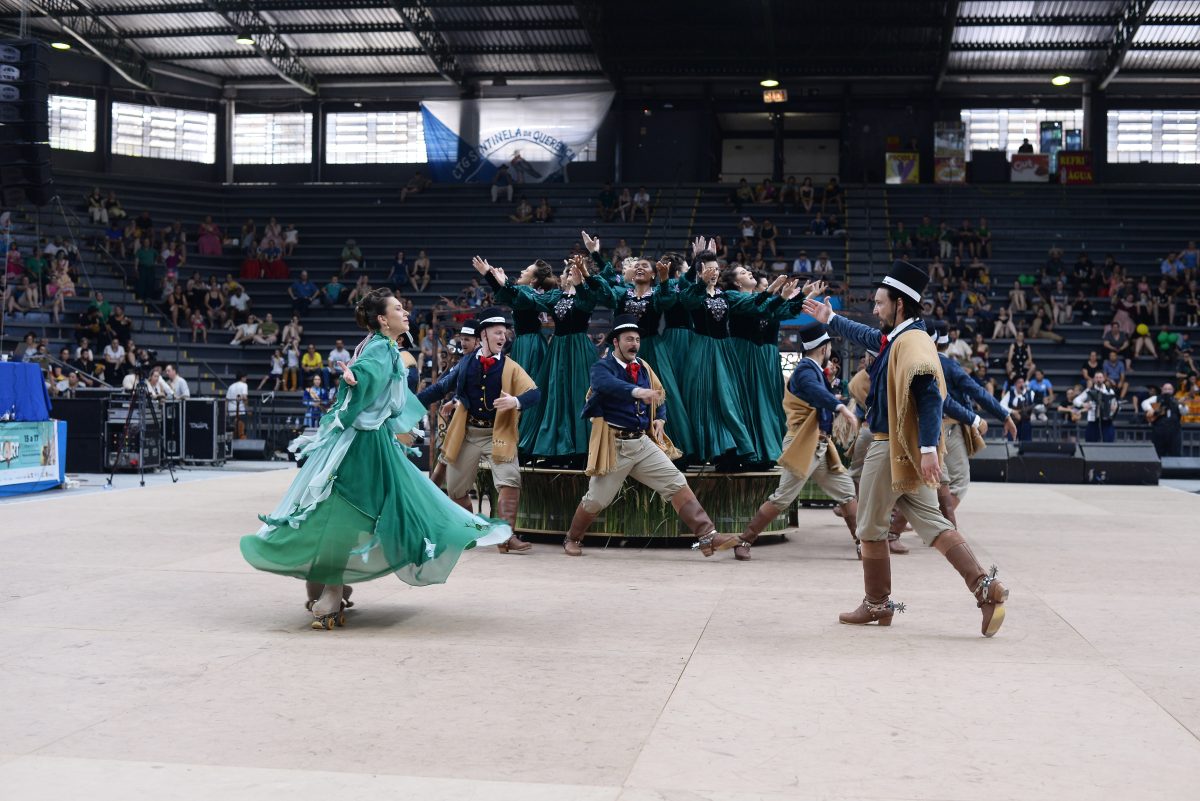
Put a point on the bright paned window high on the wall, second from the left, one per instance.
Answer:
(175, 134)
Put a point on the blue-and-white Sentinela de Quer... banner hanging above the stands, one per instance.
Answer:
(537, 137)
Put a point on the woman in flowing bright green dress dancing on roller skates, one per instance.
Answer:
(358, 509)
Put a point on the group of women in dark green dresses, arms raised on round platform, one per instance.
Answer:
(710, 333)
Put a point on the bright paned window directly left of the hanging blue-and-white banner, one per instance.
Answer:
(375, 138)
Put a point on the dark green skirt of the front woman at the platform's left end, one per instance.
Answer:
(566, 377)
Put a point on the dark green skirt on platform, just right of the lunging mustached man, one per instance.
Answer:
(712, 396)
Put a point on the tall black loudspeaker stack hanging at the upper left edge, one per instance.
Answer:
(25, 123)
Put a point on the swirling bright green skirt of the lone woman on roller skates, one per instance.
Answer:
(361, 510)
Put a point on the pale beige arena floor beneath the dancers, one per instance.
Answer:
(142, 657)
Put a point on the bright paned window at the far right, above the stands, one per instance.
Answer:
(1162, 137)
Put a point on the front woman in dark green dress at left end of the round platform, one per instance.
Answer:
(562, 435)
